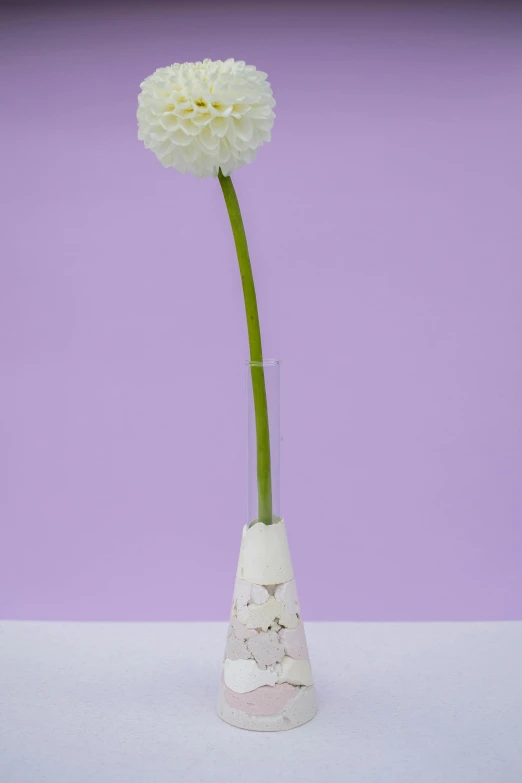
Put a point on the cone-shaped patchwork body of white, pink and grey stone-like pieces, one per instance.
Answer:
(267, 682)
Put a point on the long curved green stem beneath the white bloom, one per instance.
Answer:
(264, 477)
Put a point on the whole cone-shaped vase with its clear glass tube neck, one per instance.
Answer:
(266, 683)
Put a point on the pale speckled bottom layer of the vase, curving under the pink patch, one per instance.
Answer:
(301, 709)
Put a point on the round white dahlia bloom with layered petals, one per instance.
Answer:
(205, 116)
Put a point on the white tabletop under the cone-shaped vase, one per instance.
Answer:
(134, 703)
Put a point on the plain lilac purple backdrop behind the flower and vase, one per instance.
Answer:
(384, 224)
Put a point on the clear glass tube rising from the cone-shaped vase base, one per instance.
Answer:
(263, 384)
